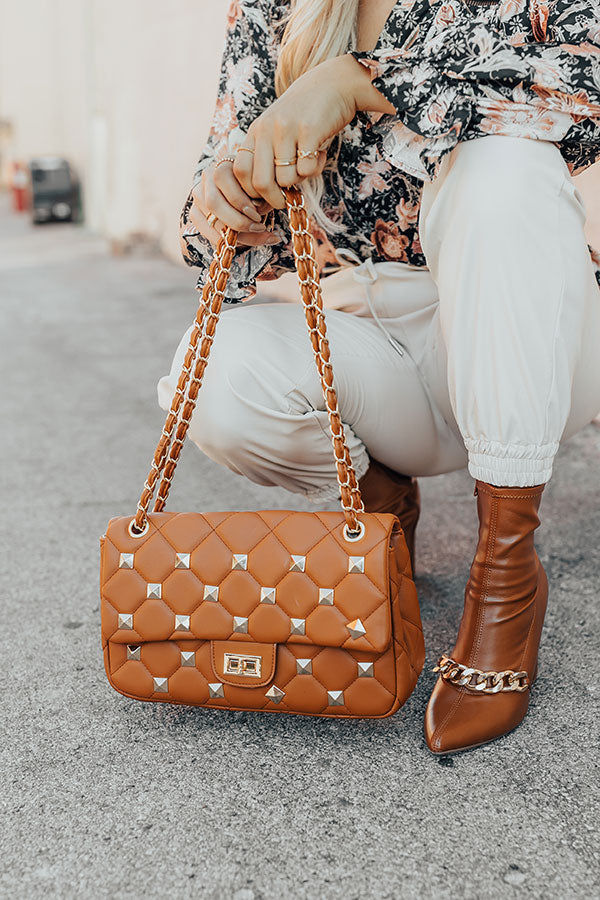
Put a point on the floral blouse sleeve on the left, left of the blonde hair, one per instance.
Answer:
(246, 88)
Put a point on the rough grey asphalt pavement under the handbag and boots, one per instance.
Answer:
(105, 797)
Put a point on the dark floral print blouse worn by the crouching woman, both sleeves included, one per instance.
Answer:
(454, 71)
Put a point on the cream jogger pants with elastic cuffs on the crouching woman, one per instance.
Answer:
(490, 358)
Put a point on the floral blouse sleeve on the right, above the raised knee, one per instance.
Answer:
(456, 71)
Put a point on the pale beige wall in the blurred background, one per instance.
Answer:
(125, 89)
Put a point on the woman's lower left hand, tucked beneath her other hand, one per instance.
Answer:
(219, 194)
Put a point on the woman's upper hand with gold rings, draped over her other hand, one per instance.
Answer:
(315, 108)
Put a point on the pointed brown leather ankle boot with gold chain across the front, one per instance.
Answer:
(484, 684)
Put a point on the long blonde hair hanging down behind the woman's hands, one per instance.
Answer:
(315, 30)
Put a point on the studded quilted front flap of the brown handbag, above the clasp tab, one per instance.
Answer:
(272, 576)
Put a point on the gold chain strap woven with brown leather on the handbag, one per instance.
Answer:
(194, 365)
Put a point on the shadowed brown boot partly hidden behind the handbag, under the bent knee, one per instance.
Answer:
(384, 490)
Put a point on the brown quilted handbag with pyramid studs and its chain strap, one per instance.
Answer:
(283, 611)
